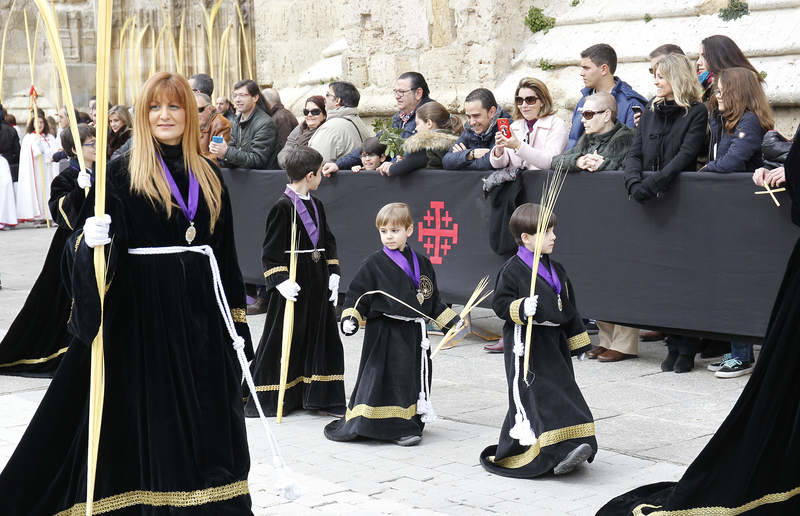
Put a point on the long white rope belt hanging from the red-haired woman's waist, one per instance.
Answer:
(285, 484)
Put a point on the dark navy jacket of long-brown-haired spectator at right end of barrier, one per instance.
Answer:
(736, 152)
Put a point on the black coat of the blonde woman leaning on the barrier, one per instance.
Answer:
(668, 140)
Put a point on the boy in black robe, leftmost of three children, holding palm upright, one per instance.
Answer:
(316, 363)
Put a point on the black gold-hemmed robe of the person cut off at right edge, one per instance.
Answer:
(751, 463)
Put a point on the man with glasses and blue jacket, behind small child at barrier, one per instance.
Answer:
(410, 92)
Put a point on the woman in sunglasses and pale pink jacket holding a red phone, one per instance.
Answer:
(536, 134)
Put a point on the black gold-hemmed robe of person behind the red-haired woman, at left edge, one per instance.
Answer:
(38, 339)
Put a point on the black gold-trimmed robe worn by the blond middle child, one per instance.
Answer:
(384, 400)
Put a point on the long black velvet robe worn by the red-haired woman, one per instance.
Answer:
(173, 437)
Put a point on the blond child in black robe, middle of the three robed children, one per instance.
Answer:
(391, 399)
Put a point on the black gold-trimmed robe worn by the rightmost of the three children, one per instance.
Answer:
(559, 415)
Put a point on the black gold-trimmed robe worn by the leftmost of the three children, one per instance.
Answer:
(315, 380)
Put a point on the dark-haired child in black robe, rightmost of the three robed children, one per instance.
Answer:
(548, 426)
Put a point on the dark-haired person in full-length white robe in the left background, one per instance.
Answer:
(35, 171)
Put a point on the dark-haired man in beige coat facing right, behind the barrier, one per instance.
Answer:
(343, 131)
